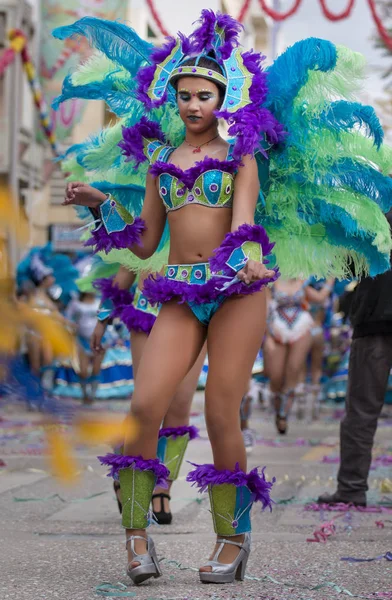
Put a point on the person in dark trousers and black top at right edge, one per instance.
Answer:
(369, 368)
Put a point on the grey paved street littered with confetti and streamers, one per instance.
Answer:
(66, 542)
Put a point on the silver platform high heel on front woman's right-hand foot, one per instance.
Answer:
(223, 573)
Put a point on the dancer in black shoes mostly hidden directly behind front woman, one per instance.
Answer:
(139, 315)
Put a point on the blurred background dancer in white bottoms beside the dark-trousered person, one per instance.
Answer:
(288, 341)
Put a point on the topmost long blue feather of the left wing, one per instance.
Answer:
(118, 42)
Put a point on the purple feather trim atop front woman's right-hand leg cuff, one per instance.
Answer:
(205, 475)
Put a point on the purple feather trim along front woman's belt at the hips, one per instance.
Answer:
(159, 289)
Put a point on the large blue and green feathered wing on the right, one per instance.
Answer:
(329, 183)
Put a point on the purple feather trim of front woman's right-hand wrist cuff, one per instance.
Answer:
(233, 240)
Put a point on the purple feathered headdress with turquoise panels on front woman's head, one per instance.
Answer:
(240, 73)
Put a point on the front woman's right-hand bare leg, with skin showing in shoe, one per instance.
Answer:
(234, 337)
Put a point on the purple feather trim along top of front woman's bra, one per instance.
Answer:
(189, 176)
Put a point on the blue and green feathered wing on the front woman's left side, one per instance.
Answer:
(111, 75)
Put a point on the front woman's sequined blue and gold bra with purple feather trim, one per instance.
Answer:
(209, 182)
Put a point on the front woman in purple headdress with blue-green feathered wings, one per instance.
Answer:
(209, 192)
